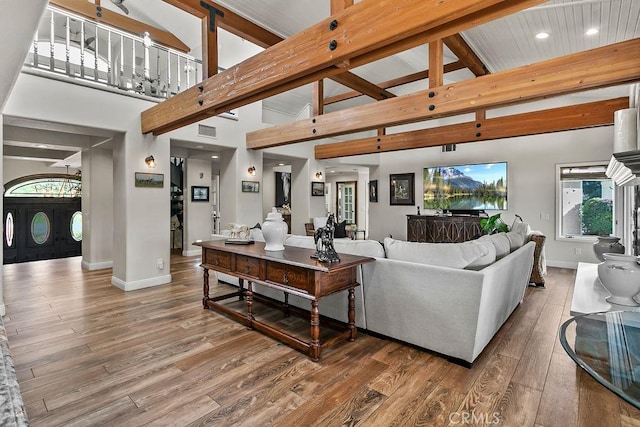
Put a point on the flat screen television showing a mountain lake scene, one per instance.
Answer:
(465, 188)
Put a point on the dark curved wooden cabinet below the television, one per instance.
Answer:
(443, 229)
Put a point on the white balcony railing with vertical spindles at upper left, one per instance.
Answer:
(69, 45)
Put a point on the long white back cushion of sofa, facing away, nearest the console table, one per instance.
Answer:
(454, 255)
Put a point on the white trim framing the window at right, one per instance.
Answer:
(618, 206)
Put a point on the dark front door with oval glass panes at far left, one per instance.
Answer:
(41, 228)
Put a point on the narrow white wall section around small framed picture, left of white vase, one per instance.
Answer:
(197, 214)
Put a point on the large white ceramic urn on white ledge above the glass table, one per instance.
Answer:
(620, 275)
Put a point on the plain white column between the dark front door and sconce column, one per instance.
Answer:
(97, 209)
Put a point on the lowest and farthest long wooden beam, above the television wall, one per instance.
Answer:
(593, 114)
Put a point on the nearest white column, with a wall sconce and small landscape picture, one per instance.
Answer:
(141, 247)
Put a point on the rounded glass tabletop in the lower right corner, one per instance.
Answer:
(607, 346)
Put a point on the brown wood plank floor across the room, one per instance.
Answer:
(88, 353)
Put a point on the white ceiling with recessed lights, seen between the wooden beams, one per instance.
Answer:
(503, 44)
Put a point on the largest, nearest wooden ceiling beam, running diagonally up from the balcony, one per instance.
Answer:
(359, 32)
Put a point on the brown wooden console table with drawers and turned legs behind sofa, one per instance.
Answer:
(291, 271)
